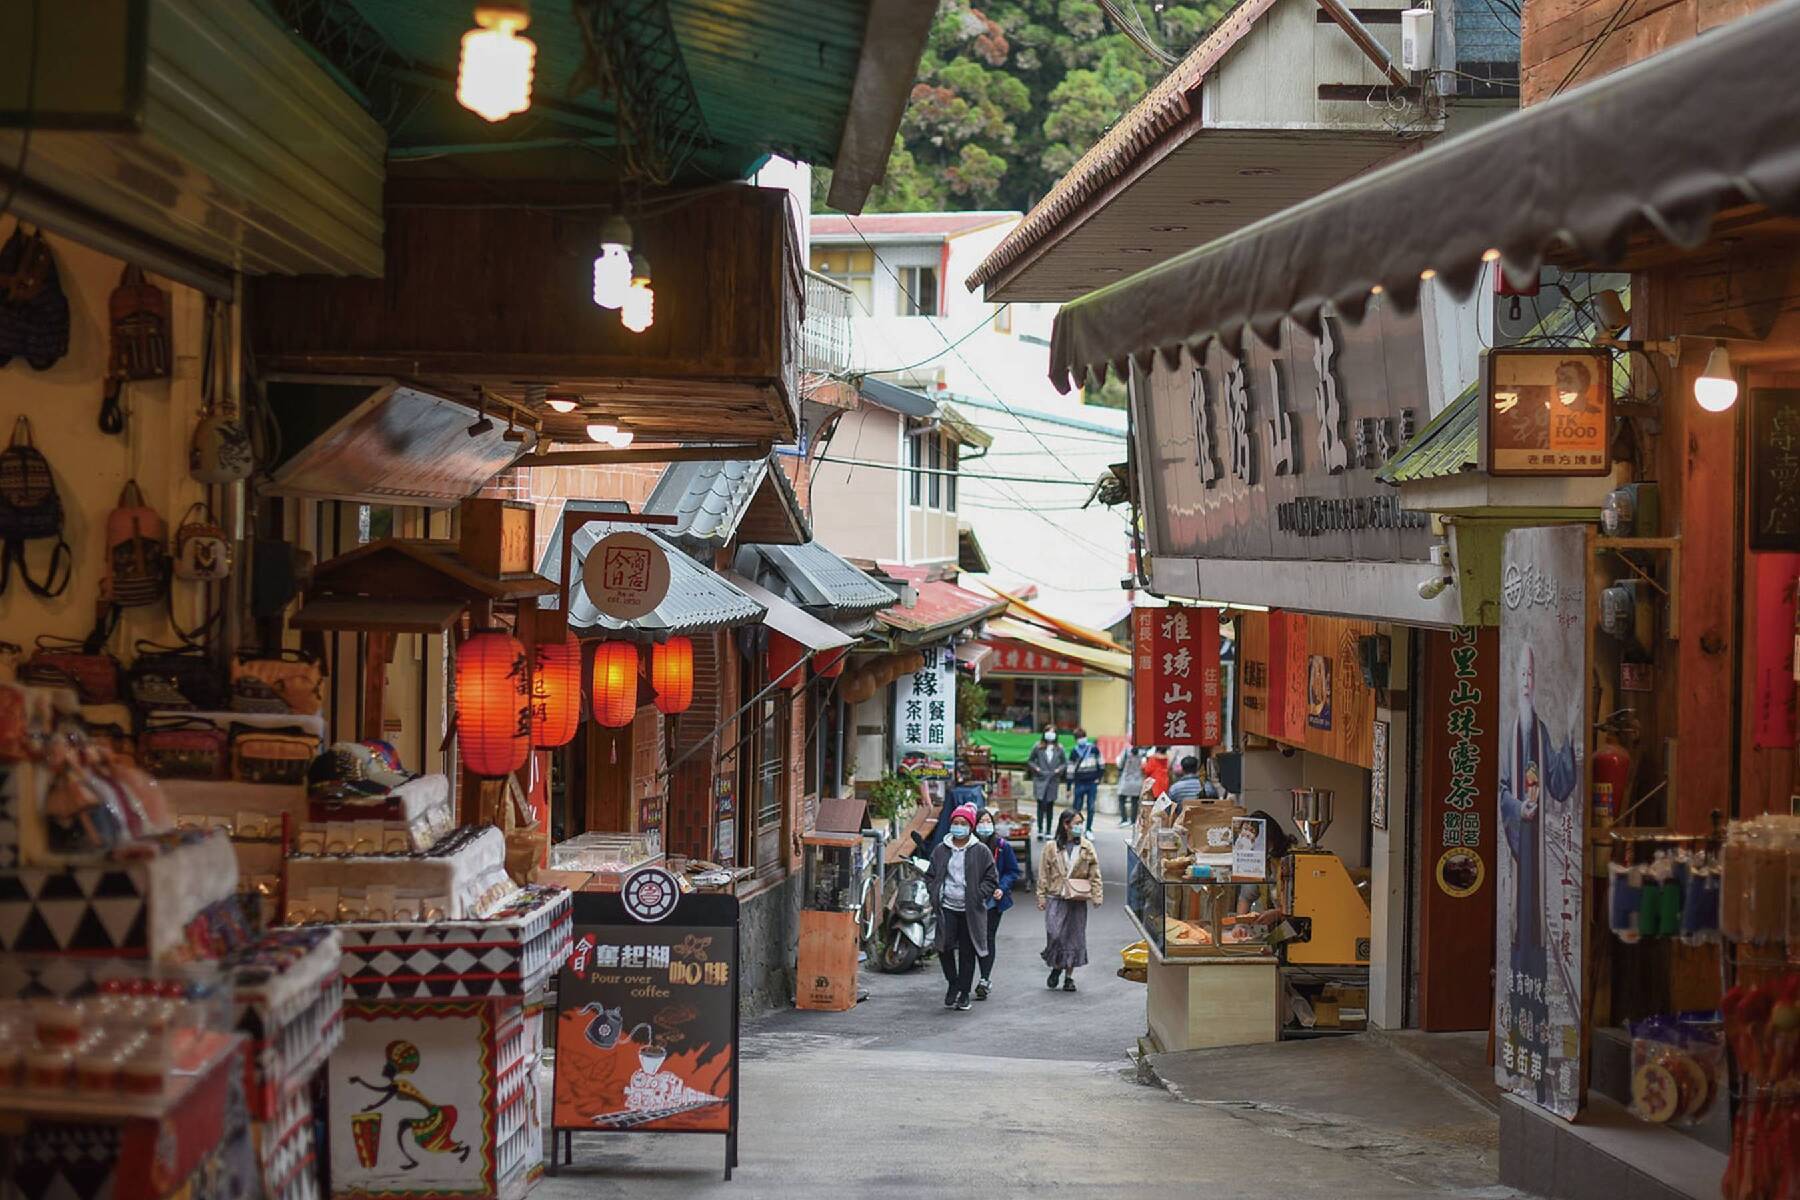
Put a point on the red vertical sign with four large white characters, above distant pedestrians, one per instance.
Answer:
(1176, 681)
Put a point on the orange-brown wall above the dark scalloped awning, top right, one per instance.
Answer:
(1563, 44)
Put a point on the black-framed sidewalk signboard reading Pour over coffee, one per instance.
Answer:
(647, 1014)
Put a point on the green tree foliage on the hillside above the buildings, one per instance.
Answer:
(1012, 93)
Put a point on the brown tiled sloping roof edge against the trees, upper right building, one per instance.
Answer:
(1119, 148)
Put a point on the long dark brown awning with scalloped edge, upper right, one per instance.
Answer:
(1572, 179)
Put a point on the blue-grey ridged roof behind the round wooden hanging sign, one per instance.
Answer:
(699, 598)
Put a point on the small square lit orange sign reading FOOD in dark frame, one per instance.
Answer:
(1549, 411)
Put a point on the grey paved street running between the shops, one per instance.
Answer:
(1029, 1095)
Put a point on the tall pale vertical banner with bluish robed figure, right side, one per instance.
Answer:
(1543, 814)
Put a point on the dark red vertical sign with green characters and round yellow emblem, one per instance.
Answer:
(1461, 771)
